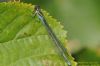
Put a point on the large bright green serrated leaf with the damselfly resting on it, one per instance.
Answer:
(24, 40)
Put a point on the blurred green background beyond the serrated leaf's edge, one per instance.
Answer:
(81, 18)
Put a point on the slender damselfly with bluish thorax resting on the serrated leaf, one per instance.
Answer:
(56, 41)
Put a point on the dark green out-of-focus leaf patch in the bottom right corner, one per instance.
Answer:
(88, 57)
